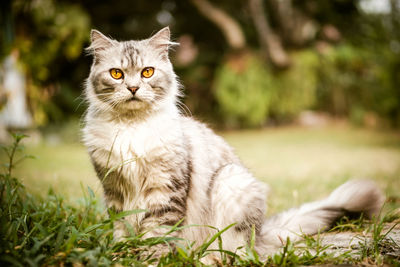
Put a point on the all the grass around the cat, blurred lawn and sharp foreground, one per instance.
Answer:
(64, 225)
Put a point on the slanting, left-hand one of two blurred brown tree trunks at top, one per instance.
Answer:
(229, 27)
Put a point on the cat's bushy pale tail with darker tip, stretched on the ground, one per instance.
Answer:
(353, 197)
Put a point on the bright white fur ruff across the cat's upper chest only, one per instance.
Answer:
(115, 143)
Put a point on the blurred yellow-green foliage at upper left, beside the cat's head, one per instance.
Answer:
(48, 36)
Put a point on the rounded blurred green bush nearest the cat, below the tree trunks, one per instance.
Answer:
(242, 91)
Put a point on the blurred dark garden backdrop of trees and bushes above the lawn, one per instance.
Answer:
(242, 63)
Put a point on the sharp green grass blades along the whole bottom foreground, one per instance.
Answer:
(49, 231)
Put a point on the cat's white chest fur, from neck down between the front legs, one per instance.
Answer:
(134, 150)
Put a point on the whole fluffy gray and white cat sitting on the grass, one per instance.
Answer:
(150, 156)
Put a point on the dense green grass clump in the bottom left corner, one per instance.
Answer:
(36, 231)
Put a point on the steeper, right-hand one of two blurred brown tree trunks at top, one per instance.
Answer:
(270, 42)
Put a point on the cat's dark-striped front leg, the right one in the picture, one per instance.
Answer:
(165, 198)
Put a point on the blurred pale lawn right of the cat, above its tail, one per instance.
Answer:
(303, 164)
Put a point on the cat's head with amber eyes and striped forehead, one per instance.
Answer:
(131, 76)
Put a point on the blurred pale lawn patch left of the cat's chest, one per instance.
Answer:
(64, 167)
